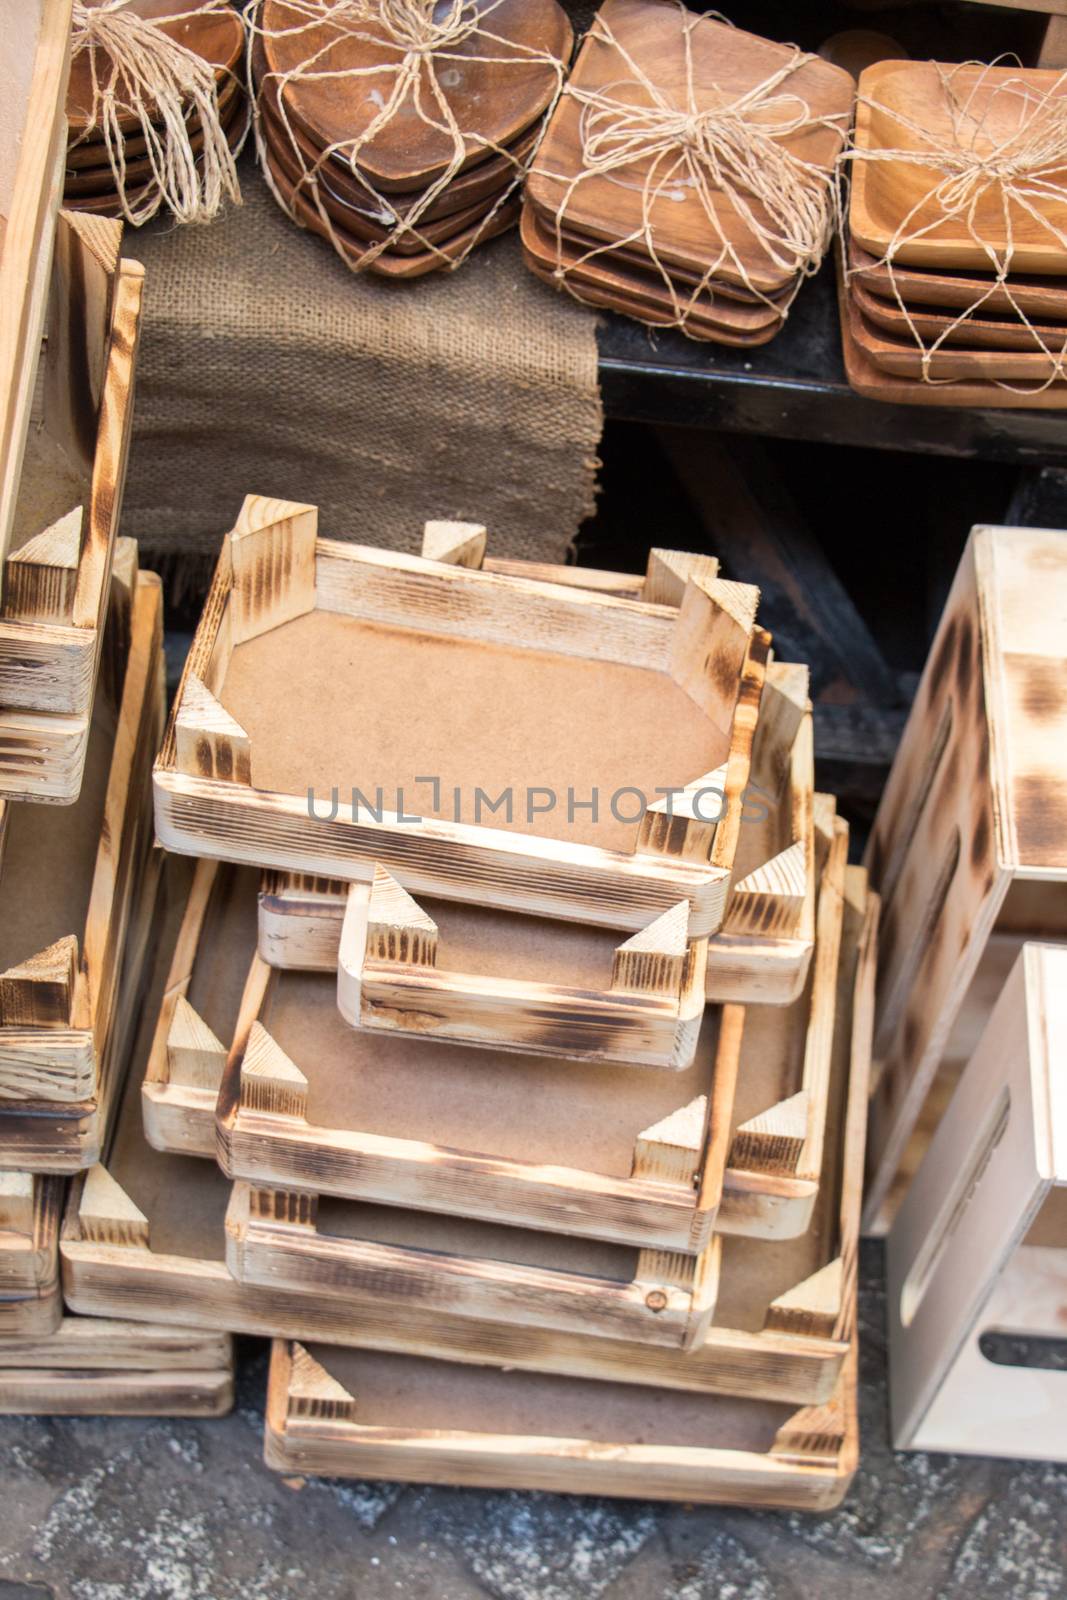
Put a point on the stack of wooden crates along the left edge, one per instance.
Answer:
(81, 718)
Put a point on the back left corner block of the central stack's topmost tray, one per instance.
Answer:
(273, 561)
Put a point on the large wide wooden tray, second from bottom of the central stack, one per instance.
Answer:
(148, 1233)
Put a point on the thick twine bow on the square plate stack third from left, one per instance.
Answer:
(733, 158)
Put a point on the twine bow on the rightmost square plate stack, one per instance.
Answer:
(1023, 172)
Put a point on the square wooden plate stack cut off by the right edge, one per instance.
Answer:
(925, 316)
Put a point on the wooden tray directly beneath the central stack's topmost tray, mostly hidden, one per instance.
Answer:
(764, 948)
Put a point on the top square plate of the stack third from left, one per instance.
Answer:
(725, 63)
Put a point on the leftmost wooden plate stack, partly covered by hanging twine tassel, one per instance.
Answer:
(90, 185)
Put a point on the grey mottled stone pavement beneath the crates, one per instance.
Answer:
(186, 1511)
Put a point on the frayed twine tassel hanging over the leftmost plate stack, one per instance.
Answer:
(138, 70)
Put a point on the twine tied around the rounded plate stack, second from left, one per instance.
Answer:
(422, 46)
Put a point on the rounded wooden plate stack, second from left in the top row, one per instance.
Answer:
(380, 193)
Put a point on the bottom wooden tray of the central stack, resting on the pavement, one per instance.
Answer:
(438, 1423)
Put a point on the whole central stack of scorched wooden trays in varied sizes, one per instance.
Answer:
(438, 1098)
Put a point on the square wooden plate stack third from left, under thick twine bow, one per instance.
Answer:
(692, 263)
